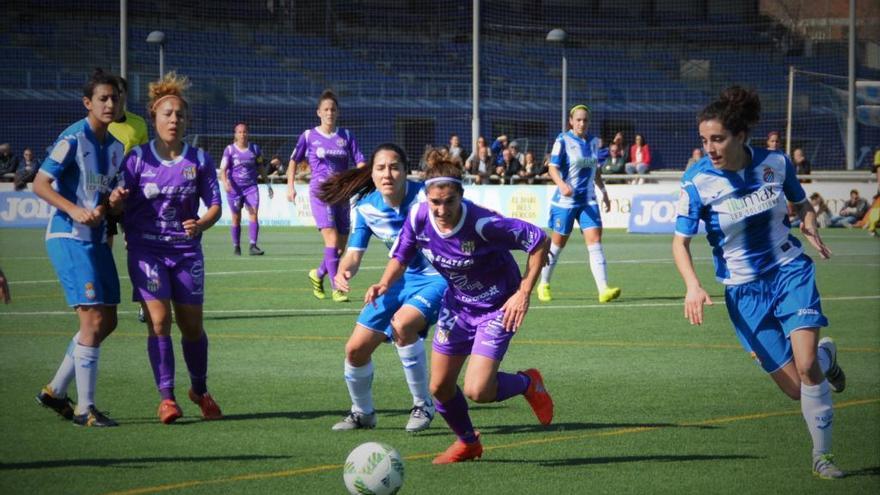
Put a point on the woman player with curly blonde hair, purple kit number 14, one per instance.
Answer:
(165, 179)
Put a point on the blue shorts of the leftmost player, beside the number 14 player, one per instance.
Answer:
(86, 271)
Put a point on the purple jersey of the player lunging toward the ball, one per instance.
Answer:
(474, 257)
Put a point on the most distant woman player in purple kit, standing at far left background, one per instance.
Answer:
(241, 163)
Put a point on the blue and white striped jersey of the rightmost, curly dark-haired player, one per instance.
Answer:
(745, 214)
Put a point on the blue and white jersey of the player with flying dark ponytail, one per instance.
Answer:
(373, 216)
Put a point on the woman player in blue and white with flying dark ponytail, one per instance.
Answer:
(404, 313)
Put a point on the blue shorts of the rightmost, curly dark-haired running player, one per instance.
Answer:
(766, 310)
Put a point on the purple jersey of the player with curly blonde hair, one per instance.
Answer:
(162, 194)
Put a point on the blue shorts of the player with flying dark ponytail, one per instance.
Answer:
(425, 293)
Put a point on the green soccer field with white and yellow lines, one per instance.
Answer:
(645, 403)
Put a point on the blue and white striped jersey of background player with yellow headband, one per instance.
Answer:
(577, 160)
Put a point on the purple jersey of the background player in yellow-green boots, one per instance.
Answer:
(327, 154)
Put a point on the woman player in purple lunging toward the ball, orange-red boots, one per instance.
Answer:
(485, 304)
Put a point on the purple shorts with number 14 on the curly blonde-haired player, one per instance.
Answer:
(179, 277)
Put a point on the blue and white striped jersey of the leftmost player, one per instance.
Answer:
(85, 171)
